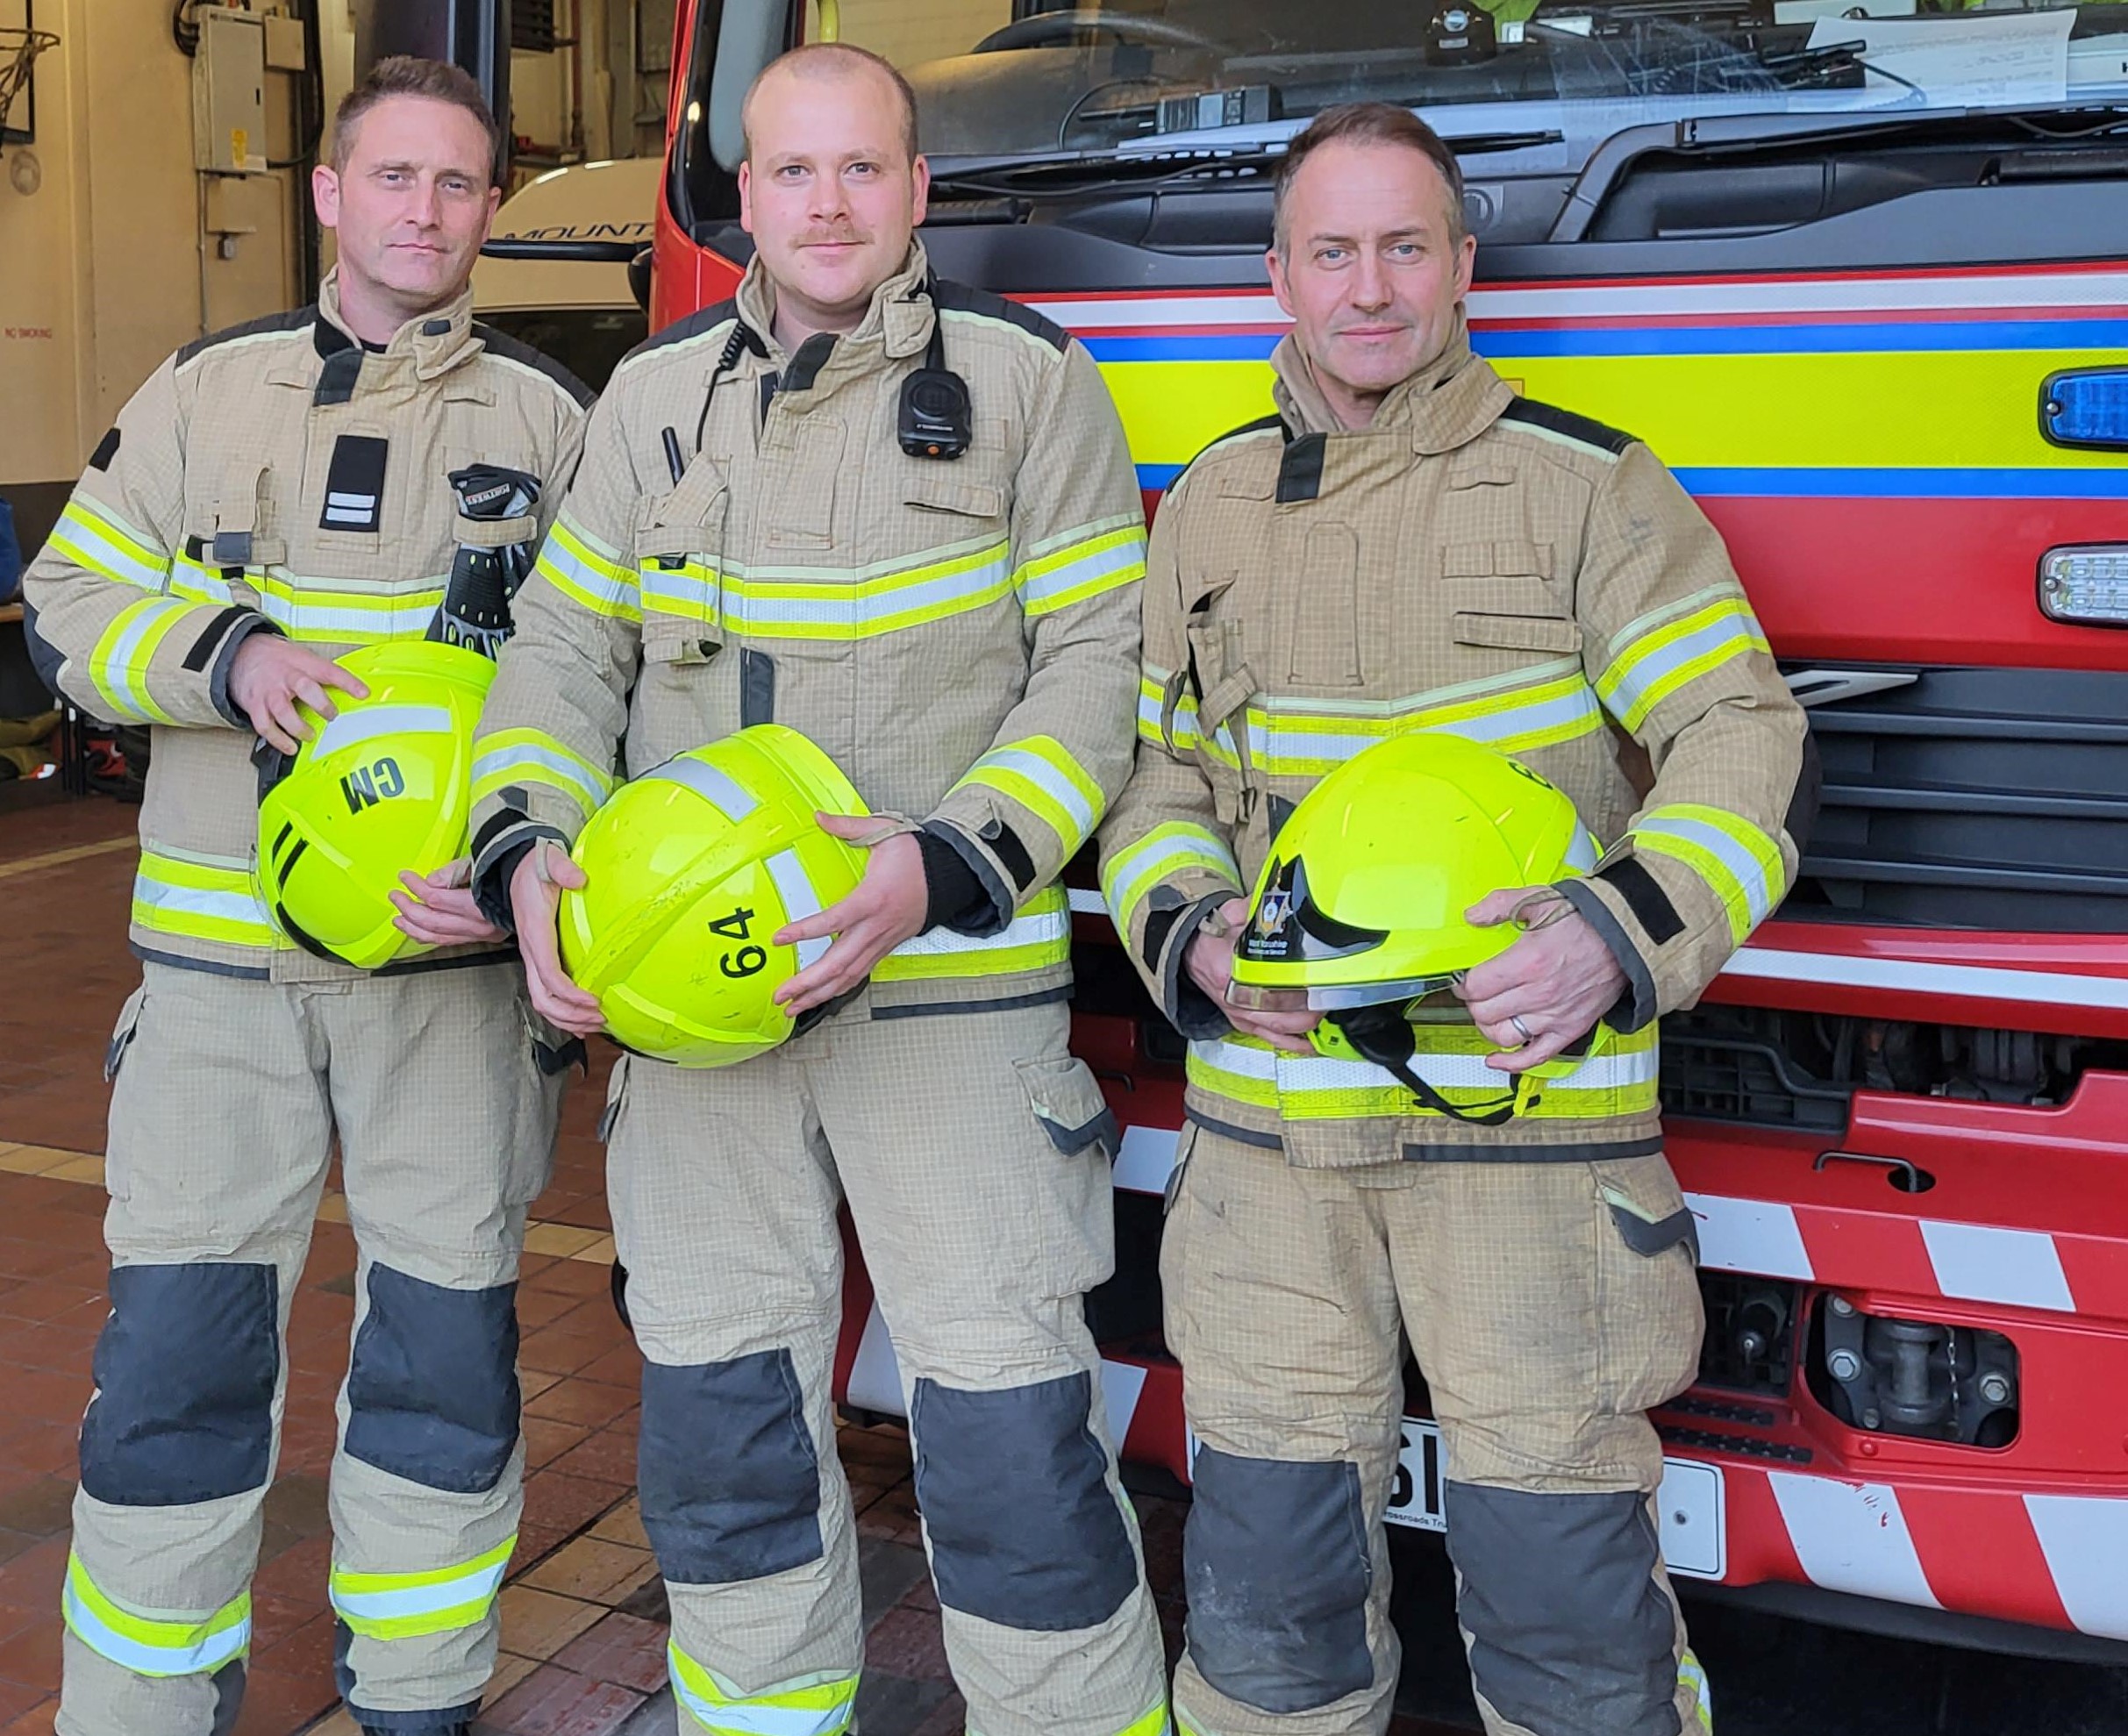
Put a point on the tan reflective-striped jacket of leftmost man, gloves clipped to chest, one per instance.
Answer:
(276, 478)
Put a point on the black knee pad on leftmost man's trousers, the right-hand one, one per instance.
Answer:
(433, 1384)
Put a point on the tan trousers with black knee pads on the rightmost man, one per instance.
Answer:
(1550, 1305)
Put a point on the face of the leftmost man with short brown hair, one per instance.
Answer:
(412, 203)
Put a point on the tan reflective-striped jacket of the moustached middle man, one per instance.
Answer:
(959, 635)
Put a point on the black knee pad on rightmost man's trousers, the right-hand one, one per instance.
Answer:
(1569, 1631)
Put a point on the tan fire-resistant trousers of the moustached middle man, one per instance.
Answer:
(974, 1154)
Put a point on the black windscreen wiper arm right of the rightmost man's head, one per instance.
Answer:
(1744, 137)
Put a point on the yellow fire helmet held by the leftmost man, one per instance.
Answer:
(382, 786)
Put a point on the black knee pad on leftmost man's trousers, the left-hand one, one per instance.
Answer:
(184, 1386)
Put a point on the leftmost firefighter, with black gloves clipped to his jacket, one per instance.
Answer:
(354, 471)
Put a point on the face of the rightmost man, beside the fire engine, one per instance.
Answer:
(1371, 271)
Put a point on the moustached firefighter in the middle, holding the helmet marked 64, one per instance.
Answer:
(897, 516)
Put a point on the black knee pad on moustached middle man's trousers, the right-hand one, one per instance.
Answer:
(1016, 1499)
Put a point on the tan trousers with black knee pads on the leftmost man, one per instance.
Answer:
(229, 1099)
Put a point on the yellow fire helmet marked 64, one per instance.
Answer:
(691, 871)
